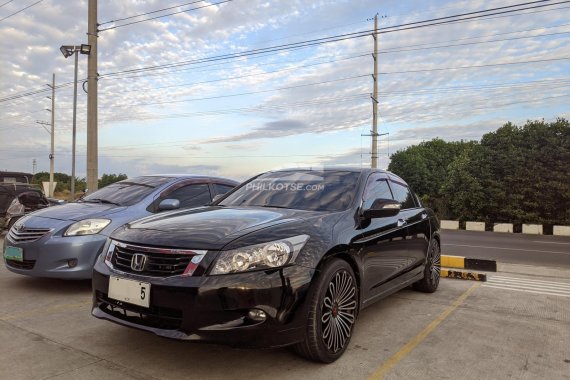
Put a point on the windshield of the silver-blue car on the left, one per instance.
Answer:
(127, 192)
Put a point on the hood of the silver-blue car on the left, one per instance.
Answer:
(78, 211)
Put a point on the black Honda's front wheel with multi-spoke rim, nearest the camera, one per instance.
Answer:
(333, 307)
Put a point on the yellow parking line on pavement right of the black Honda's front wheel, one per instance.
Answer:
(381, 371)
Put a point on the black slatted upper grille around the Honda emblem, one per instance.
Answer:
(157, 263)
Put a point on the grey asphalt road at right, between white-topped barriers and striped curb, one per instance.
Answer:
(541, 250)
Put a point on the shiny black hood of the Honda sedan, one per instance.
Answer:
(209, 228)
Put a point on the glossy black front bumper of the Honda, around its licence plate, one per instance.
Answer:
(214, 309)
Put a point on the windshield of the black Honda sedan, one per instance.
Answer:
(328, 190)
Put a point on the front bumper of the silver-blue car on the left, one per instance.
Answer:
(51, 255)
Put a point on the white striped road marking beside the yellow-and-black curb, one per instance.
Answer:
(550, 288)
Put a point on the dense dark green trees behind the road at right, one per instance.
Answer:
(516, 174)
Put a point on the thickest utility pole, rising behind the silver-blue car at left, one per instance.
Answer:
(92, 150)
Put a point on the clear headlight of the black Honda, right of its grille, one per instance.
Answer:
(260, 256)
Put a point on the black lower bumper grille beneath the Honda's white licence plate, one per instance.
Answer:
(157, 317)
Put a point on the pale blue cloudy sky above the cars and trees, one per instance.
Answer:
(303, 107)
